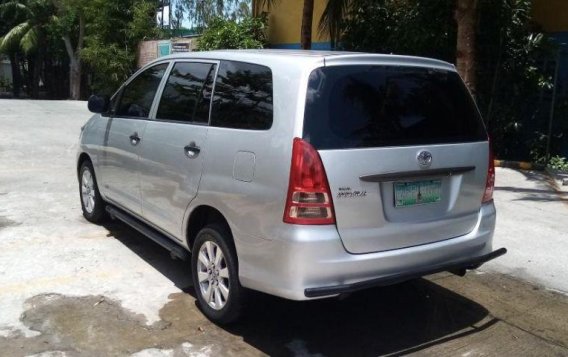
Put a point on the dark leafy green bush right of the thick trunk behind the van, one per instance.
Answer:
(513, 80)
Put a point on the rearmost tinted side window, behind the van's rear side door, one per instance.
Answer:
(243, 96)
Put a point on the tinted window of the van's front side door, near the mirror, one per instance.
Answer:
(137, 97)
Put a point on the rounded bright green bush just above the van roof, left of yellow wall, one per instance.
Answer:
(221, 33)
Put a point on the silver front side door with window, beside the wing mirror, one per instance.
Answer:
(124, 137)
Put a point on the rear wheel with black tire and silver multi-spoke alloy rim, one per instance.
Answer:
(220, 295)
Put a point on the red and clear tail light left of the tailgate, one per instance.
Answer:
(309, 196)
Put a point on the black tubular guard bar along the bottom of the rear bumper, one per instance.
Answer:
(401, 277)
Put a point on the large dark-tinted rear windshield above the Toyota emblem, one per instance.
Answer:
(374, 106)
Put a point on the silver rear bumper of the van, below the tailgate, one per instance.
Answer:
(307, 262)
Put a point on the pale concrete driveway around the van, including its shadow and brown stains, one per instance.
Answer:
(70, 288)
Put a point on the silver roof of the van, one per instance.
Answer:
(305, 57)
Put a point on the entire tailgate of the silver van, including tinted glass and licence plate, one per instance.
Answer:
(405, 152)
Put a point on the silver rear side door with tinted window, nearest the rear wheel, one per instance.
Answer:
(174, 145)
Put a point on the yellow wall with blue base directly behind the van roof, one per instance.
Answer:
(285, 21)
